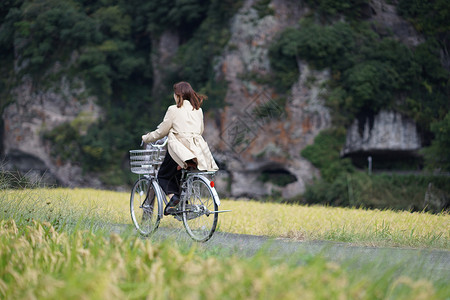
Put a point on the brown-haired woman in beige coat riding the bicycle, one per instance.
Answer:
(183, 124)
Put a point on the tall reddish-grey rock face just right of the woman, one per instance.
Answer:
(257, 132)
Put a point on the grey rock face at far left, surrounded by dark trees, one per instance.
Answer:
(36, 111)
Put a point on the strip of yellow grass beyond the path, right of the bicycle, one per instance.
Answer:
(374, 227)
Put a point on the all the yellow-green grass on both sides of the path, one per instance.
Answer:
(57, 243)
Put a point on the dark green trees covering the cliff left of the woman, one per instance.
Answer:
(109, 44)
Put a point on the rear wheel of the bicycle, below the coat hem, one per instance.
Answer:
(200, 210)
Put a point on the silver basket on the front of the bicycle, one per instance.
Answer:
(146, 161)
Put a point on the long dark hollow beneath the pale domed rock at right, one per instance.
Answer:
(381, 160)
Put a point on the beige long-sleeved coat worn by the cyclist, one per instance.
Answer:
(184, 127)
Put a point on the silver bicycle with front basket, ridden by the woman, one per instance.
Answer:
(199, 201)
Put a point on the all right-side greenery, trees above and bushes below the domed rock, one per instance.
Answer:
(372, 71)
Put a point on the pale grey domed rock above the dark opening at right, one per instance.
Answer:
(388, 131)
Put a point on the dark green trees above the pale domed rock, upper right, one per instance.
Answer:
(371, 71)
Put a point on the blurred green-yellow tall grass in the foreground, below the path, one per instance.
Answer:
(36, 261)
